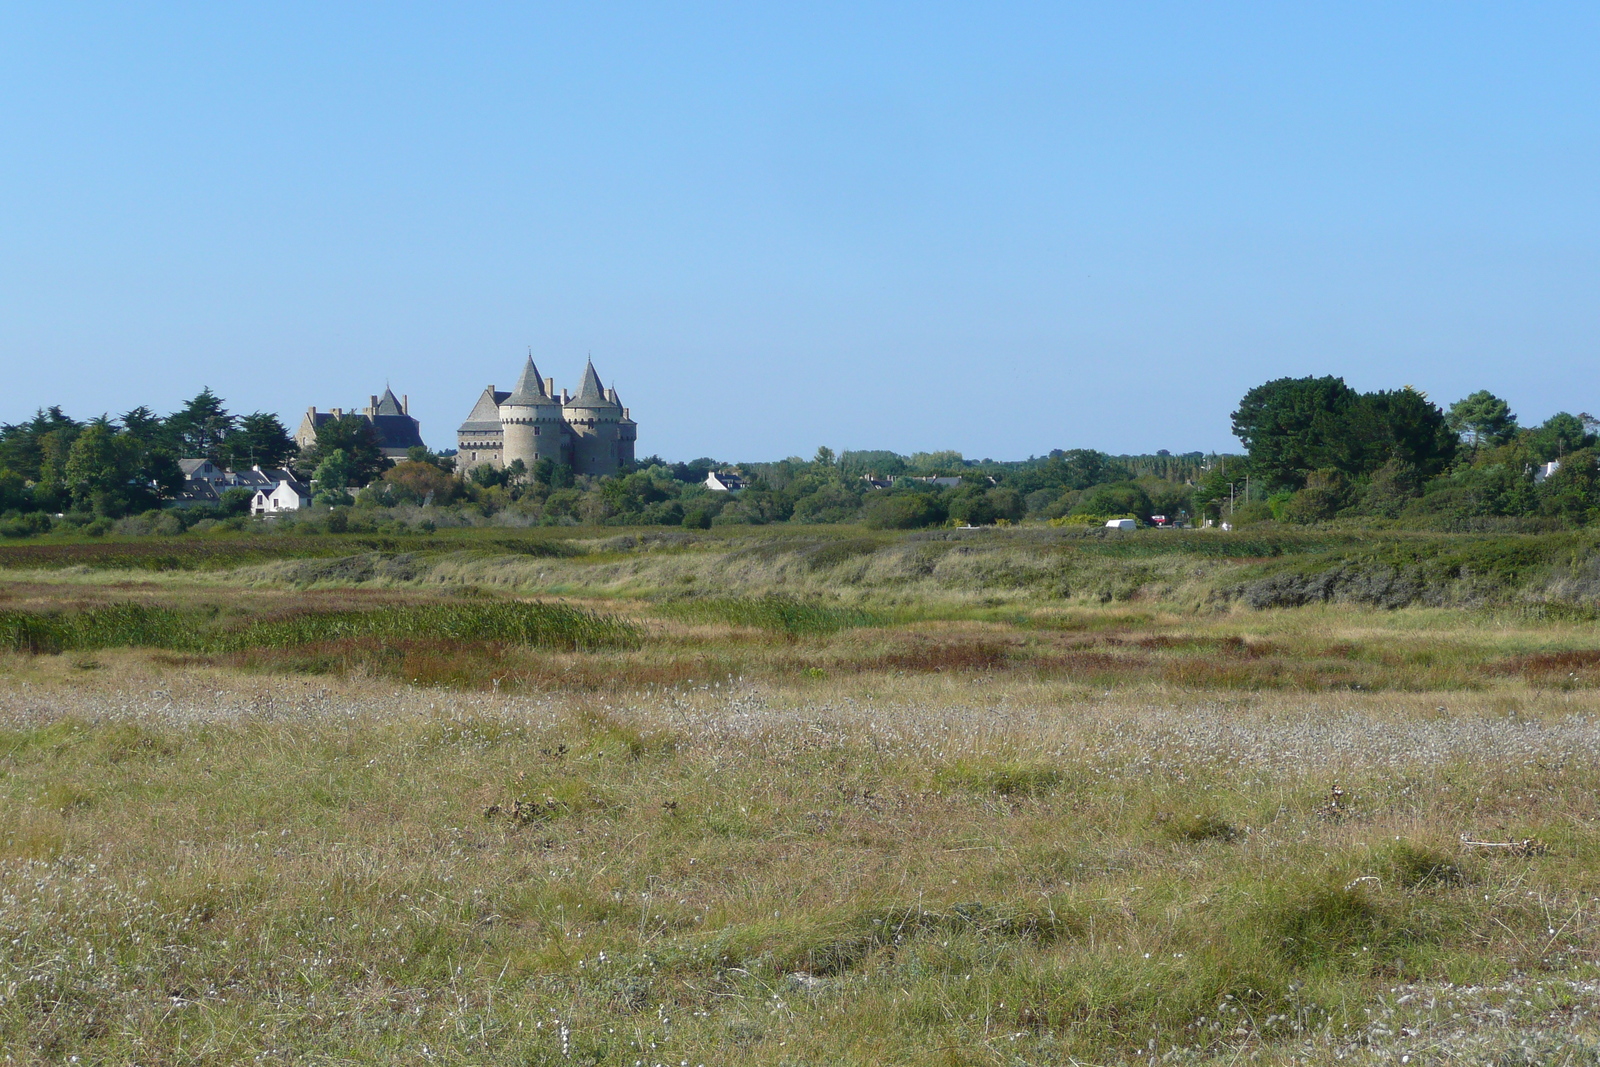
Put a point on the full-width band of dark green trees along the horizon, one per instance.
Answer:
(1314, 450)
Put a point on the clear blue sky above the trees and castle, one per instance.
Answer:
(993, 228)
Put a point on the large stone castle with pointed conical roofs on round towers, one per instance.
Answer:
(590, 433)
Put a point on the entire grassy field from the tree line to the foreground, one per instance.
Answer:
(801, 797)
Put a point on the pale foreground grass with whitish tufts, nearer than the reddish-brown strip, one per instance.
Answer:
(750, 881)
